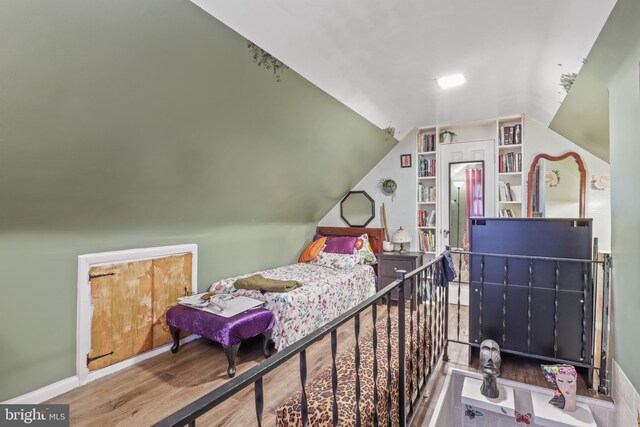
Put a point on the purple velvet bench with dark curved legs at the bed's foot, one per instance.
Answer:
(228, 331)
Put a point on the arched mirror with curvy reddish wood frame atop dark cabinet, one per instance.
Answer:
(557, 186)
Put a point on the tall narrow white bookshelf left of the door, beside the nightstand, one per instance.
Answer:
(426, 220)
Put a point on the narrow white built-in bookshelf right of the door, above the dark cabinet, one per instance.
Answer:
(509, 165)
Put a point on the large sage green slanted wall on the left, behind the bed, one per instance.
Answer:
(145, 123)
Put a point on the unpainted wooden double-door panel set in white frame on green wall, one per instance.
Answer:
(129, 301)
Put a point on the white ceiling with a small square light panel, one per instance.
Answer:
(381, 57)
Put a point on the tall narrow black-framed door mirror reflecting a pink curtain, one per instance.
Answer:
(466, 199)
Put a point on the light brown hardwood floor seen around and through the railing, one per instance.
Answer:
(151, 390)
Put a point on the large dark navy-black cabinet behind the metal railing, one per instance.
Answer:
(549, 302)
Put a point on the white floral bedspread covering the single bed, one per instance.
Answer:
(324, 295)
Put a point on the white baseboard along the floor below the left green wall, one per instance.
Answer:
(60, 387)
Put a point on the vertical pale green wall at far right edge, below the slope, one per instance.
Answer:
(624, 96)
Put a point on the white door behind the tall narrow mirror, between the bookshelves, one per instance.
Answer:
(452, 158)
